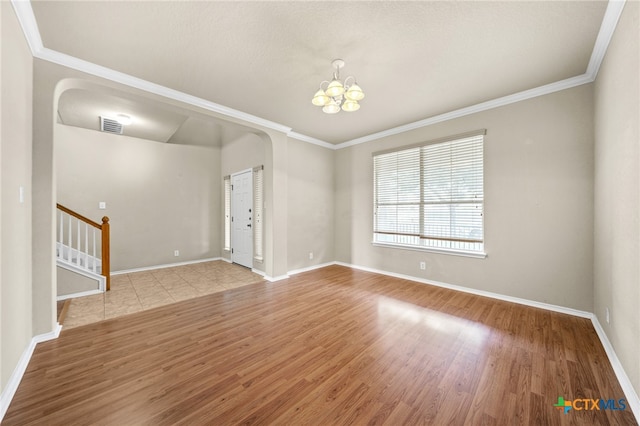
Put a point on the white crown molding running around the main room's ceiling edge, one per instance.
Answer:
(30, 28)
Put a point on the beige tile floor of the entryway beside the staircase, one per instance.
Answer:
(138, 291)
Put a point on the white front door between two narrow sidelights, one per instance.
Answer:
(242, 218)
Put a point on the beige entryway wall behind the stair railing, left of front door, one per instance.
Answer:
(160, 197)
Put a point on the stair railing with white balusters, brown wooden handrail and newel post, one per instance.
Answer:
(82, 247)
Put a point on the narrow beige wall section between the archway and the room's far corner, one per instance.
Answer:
(310, 212)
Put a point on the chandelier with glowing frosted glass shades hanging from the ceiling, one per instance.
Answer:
(338, 95)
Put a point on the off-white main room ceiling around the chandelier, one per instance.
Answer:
(414, 60)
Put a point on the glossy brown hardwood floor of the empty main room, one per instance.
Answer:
(331, 346)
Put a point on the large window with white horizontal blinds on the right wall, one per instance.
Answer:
(431, 196)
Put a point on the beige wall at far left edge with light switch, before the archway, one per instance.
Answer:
(15, 229)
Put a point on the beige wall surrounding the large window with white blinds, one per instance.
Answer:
(538, 203)
